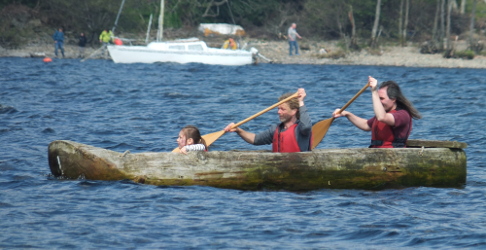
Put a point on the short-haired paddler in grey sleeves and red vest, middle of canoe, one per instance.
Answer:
(293, 134)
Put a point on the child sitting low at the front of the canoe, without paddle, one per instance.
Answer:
(190, 140)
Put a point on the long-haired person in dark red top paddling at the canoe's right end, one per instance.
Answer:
(392, 123)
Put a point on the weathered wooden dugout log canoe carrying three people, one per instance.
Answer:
(423, 163)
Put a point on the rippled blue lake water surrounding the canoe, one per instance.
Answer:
(142, 108)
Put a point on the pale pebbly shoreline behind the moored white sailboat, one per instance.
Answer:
(277, 52)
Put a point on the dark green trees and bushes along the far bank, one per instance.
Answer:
(318, 19)
